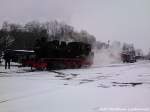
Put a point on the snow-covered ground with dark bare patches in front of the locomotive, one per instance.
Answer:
(109, 88)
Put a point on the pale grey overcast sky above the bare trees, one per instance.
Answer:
(122, 20)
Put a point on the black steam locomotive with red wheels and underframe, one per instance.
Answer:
(60, 55)
